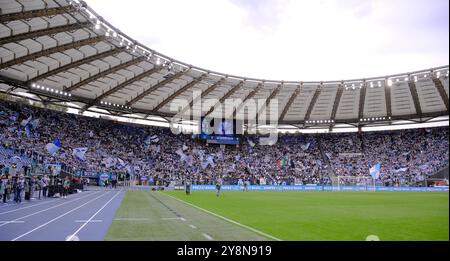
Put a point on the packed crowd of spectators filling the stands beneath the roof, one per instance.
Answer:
(405, 156)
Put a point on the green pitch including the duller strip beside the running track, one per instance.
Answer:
(309, 216)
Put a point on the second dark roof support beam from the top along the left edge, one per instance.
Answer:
(43, 32)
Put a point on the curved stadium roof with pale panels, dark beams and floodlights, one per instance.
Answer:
(62, 50)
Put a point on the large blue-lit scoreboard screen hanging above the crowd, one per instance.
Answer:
(220, 131)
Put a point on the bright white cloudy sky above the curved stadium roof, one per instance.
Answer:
(290, 39)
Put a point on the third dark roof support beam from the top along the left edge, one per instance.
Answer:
(53, 50)
